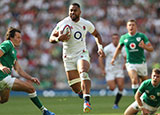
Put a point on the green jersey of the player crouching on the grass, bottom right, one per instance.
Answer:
(151, 94)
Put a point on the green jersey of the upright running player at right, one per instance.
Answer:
(135, 54)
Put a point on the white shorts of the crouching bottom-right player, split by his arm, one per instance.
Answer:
(152, 110)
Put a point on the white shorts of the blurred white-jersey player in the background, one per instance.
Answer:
(112, 75)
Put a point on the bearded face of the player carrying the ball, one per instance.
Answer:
(74, 13)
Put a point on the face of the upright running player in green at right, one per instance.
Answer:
(131, 27)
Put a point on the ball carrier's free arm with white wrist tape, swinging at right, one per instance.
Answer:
(99, 43)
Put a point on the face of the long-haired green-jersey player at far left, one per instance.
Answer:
(16, 40)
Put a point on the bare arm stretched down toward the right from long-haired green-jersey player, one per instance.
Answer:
(22, 73)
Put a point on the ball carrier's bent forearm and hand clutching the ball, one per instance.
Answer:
(57, 36)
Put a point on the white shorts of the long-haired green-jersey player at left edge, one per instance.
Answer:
(7, 83)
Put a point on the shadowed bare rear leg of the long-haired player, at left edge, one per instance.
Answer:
(4, 95)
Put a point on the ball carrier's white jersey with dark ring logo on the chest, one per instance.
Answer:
(77, 42)
